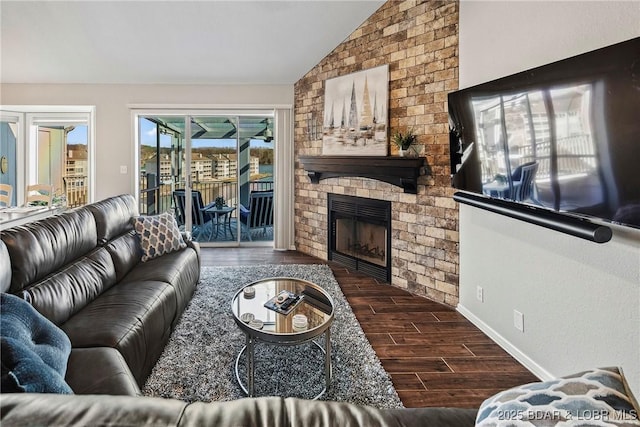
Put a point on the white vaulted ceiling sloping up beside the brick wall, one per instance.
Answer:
(172, 42)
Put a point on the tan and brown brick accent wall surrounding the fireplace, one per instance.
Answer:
(419, 41)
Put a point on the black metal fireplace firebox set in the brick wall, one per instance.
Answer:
(360, 234)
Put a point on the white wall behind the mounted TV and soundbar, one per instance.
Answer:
(581, 300)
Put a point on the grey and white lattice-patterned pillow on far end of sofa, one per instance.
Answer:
(159, 235)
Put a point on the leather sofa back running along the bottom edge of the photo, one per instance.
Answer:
(65, 410)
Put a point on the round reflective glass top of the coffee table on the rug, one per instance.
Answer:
(253, 317)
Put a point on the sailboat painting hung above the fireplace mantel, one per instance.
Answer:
(356, 114)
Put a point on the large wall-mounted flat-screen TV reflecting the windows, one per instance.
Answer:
(563, 137)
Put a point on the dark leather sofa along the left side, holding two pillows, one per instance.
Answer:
(82, 270)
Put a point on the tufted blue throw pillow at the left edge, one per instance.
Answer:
(34, 351)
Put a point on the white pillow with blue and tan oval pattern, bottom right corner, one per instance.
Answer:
(595, 397)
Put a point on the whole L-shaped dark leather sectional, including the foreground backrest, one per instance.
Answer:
(83, 271)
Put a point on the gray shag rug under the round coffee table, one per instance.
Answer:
(199, 360)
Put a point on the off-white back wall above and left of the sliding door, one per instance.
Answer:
(114, 139)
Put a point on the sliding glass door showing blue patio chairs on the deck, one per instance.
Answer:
(209, 170)
